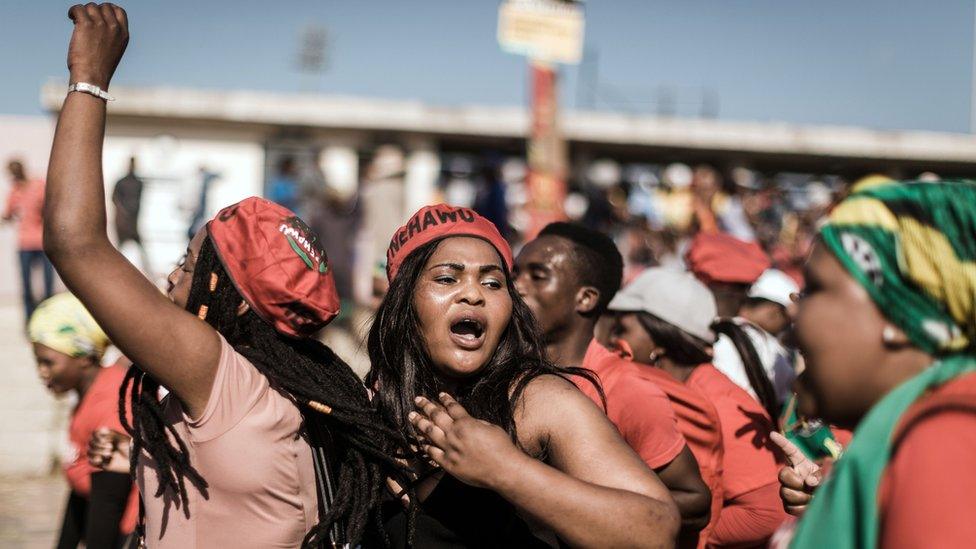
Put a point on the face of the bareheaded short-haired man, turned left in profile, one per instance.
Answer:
(546, 280)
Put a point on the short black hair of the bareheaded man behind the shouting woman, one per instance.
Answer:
(599, 263)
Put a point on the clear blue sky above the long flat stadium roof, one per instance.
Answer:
(881, 64)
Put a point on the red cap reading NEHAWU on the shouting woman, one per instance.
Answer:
(438, 221)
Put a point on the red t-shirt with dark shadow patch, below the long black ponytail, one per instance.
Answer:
(751, 462)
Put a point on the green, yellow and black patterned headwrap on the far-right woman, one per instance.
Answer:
(913, 247)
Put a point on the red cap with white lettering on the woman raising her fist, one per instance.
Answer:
(277, 264)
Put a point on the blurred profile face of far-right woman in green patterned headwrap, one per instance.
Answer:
(838, 330)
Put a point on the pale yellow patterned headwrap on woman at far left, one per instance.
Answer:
(63, 324)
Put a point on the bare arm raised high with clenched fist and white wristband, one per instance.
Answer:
(175, 347)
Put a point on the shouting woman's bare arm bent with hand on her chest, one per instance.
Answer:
(595, 492)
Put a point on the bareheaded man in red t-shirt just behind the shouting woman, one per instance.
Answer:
(567, 276)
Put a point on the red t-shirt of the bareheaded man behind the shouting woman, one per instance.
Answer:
(637, 407)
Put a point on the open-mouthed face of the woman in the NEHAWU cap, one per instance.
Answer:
(463, 305)
